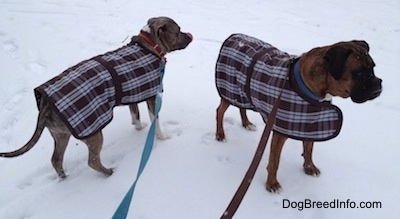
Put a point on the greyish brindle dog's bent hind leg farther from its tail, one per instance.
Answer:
(95, 144)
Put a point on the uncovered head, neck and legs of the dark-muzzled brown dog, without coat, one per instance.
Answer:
(344, 69)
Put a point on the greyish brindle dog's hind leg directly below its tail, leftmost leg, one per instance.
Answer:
(60, 144)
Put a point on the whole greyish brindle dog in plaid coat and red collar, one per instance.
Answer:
(80, 101)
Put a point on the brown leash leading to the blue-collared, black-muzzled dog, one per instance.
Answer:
(241, 191)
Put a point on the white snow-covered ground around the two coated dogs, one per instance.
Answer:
(191, 175)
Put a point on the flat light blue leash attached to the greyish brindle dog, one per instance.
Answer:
(123, 208)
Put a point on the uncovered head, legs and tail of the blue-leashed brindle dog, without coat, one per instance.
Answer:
(163, 36)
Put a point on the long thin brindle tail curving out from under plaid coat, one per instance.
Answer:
(43, 112)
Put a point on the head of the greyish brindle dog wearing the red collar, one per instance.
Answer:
(167, 33)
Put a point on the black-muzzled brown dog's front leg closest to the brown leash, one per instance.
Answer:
(277, 143)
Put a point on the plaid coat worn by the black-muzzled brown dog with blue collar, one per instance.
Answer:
(250, 74)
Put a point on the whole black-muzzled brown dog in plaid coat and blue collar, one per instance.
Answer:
(250, 74)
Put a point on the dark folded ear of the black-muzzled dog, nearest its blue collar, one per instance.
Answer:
(335, 58)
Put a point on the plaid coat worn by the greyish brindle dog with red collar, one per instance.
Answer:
(84, 95)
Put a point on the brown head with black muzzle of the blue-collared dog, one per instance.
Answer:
(350, 64)
